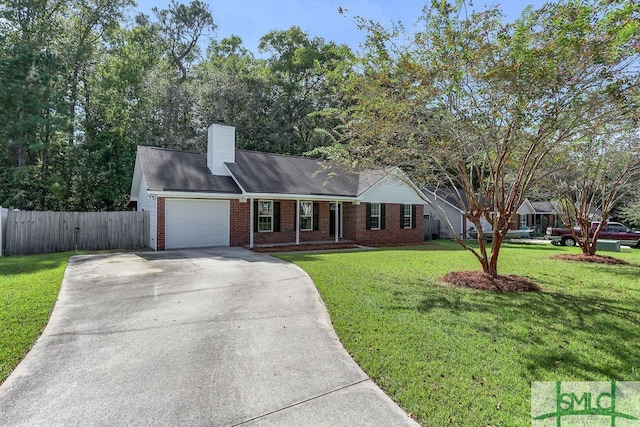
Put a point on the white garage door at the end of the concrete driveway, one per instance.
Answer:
(196, 223)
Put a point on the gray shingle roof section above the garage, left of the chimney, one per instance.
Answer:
(168, 170)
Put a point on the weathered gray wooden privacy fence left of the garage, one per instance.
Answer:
(32, 232)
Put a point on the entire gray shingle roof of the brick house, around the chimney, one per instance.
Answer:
(264, 173)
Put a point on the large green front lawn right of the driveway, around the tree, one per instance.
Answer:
(452, 356)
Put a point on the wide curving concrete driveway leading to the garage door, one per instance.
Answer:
(216, 337)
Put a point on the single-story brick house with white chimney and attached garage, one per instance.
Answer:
(231, 197)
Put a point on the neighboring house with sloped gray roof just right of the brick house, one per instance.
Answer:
(445, 202)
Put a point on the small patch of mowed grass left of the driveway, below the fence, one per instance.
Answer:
(29, 287)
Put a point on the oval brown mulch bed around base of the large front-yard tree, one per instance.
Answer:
(484, 281)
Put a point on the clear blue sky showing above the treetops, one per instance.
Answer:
(251, 19)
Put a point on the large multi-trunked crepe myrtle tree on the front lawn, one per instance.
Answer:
(477, 105)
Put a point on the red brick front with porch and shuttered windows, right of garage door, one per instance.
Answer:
(288, 222)
